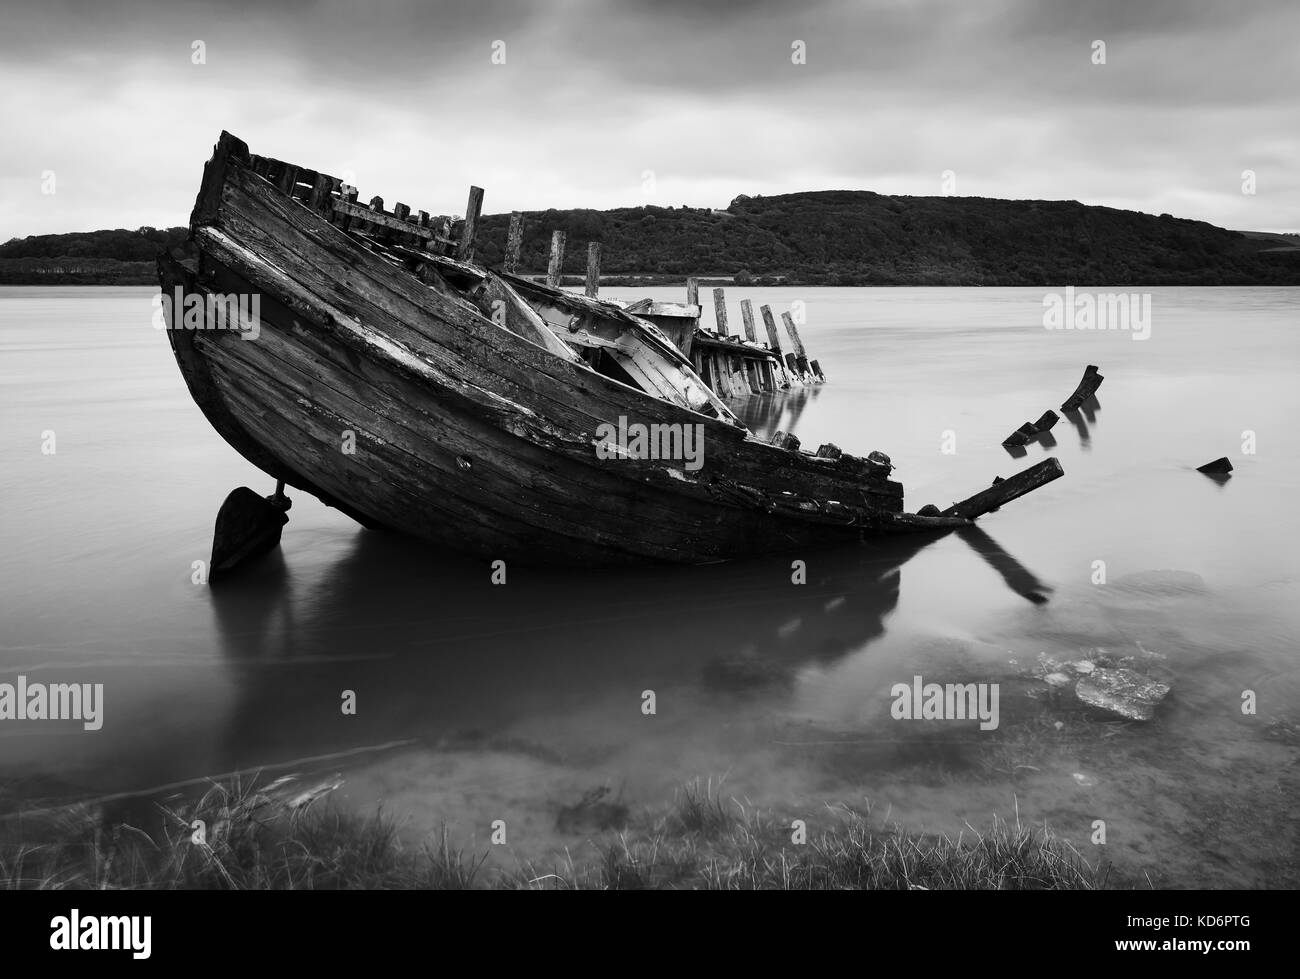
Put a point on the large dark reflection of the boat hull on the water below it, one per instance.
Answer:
(434, 651)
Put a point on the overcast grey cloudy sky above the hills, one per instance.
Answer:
(604, 103)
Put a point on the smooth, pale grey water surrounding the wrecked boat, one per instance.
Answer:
(480, 703)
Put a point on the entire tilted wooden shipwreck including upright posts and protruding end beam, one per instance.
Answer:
(397, 380)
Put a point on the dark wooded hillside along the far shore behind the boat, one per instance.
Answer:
(813, 239)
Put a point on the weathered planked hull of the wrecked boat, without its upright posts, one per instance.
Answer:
(405, 406)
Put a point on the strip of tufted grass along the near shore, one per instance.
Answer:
(253, 841)
